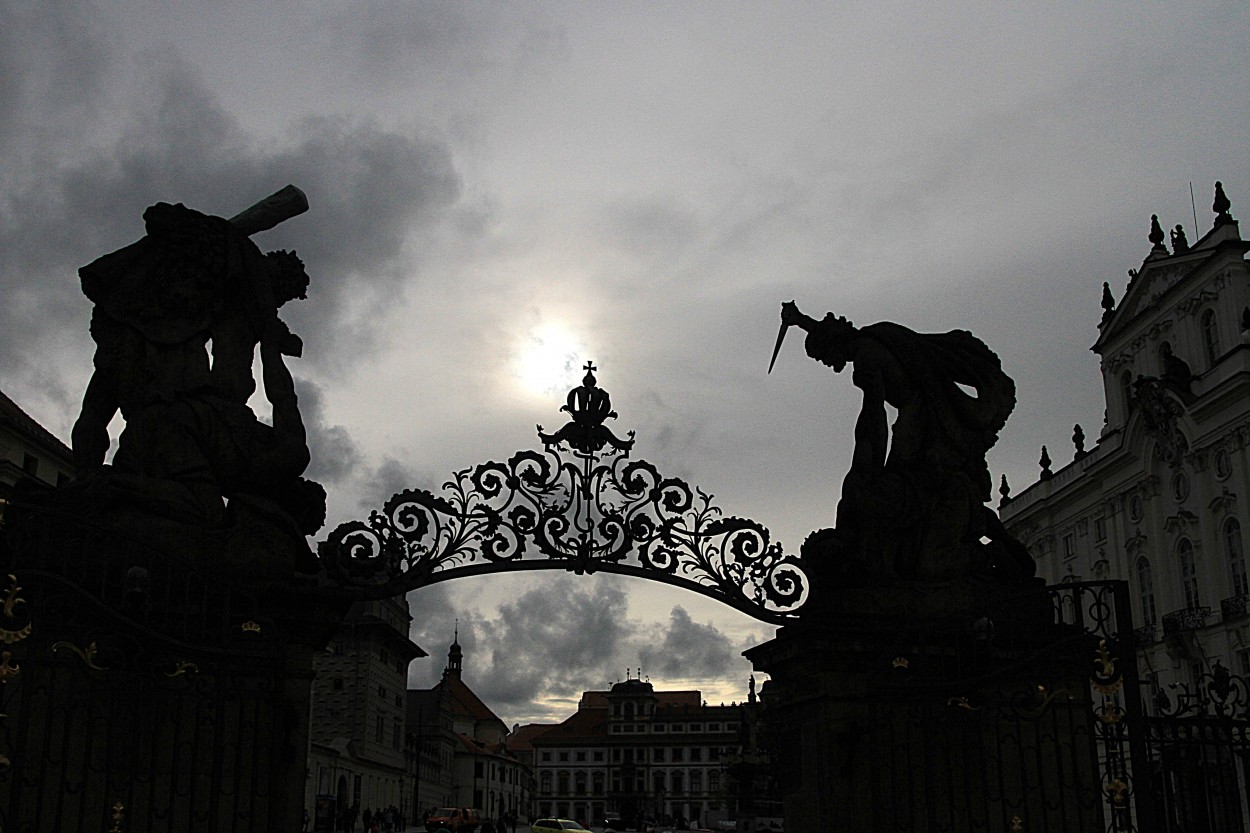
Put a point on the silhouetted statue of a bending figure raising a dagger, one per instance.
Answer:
(913, 502)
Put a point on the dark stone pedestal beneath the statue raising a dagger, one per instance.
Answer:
(976, 722)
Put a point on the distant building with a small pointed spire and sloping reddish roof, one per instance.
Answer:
(462, 757)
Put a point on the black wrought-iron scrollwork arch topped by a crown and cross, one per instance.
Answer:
(581, 505)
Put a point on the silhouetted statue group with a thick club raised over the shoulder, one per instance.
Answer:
(192, 451)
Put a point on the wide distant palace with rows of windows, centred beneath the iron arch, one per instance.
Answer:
(636, 752)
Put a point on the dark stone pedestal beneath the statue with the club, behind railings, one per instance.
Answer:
(148, 695)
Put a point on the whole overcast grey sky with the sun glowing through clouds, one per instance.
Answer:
(503, 192)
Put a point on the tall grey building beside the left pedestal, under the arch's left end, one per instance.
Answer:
(359, 712)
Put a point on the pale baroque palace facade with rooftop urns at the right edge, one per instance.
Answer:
(1162, 498)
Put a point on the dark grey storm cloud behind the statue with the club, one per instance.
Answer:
(372, 189)
